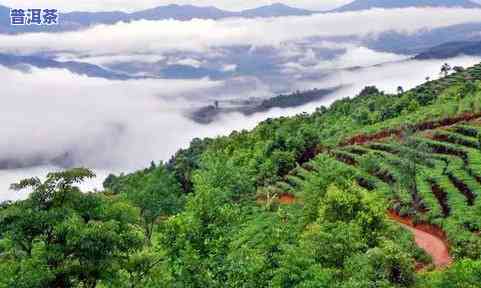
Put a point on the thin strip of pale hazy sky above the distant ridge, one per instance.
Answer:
(130, 5)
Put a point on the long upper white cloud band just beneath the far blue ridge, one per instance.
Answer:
(147, 37)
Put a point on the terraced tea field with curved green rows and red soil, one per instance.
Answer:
(432, 175)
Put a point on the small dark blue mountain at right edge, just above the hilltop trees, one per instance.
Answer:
(452, 49)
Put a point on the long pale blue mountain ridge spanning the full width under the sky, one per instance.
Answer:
(78, 20)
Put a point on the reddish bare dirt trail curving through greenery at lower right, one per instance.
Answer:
(429, 238)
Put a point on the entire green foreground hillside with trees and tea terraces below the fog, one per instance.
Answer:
(305, 201)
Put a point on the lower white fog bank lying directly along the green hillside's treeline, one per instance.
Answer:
(123, 125)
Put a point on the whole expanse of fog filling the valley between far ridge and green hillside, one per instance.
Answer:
(116, 97)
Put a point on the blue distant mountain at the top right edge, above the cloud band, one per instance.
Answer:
(388, 4)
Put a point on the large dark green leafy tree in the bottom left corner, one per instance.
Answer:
(60, 237)
